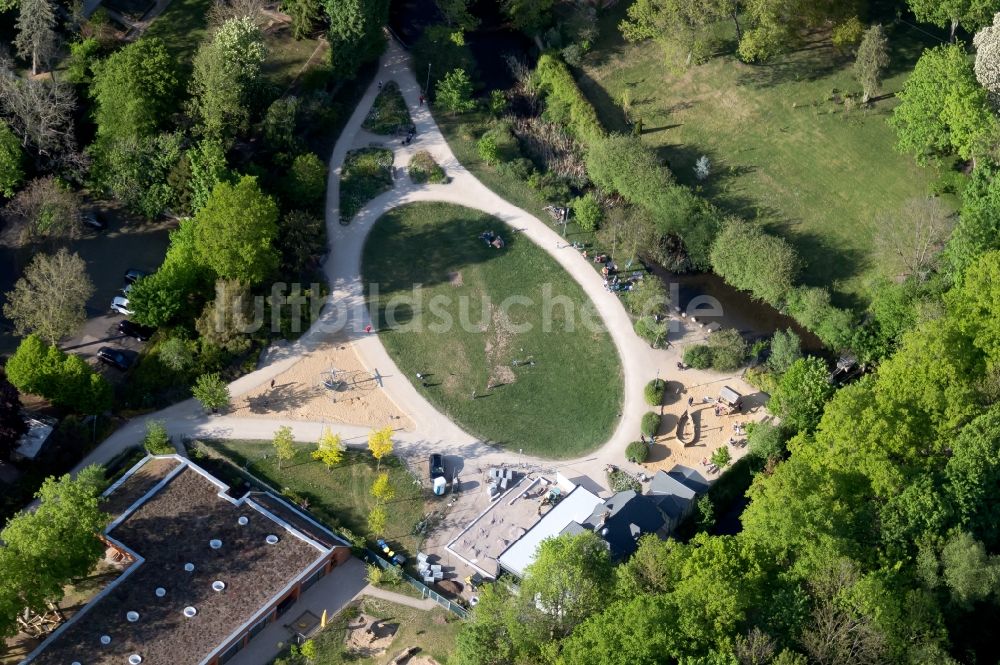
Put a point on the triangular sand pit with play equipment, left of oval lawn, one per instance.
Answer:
(299, 393)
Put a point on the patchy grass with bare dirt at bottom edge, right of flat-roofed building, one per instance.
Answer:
(433, 631)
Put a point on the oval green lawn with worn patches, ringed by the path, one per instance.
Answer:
(564, 405)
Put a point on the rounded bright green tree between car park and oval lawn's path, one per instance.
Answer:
(235, 232)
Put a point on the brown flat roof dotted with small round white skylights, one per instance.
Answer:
(180, 510)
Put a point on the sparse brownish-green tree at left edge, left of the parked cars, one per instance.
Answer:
(50, 299)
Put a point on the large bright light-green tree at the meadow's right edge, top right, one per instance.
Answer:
(943, 108)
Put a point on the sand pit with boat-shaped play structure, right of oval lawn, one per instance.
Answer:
(705, 431)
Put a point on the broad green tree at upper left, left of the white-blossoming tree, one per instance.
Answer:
(134, 90)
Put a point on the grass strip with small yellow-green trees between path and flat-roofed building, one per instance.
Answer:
(339, 497)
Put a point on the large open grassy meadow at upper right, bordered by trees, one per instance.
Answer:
(783, 146)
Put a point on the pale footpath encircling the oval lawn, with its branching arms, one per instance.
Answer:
(345, 316)
